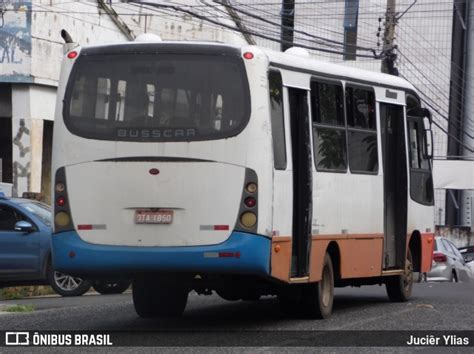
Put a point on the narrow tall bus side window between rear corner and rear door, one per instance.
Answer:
(276, 114)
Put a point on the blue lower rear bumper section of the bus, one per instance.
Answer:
(254, 256)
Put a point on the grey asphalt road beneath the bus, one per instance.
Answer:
(434, 306)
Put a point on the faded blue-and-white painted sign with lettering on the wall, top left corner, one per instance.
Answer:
(15, 41)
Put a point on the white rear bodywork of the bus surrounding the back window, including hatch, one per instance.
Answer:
(195, 189)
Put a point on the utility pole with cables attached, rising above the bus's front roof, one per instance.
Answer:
(388, 63)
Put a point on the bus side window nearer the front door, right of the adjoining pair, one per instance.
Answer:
(362, 130)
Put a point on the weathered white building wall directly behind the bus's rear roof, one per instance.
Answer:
(88, 24)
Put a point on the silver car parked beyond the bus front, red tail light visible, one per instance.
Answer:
(448, 263)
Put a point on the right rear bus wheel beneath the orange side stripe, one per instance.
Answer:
(318, 298)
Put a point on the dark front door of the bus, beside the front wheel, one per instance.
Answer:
(395, 184)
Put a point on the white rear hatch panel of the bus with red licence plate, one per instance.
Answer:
(200, 196)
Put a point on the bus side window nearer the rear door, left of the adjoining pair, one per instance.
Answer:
(329, 130)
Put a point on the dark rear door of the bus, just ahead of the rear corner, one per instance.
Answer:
(302, 181)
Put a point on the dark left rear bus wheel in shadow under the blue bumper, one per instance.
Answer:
(152, 299)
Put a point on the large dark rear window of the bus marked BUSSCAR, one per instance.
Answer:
(157, 97)
